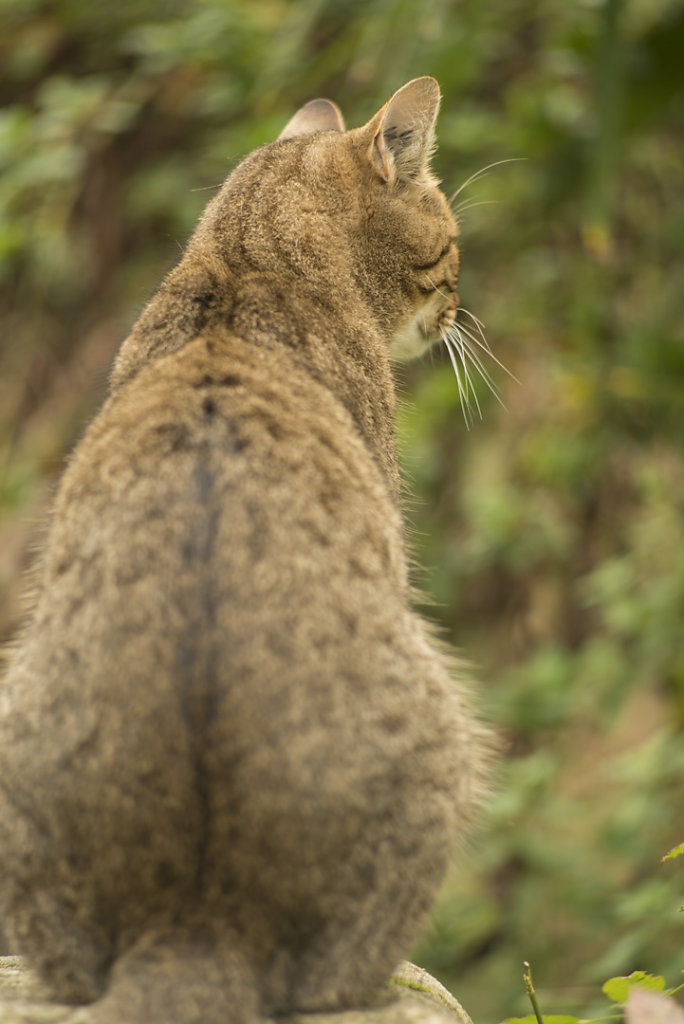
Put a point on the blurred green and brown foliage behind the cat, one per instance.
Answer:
(551, 534)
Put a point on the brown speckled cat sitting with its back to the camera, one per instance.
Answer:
(234, 761)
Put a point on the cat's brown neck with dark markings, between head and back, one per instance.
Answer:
(332, 338)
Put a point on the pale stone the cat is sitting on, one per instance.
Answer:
(417, 999)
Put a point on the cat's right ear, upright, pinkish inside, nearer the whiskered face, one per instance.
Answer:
(404, 132)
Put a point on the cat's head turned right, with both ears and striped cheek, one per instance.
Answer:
(340, 209)
